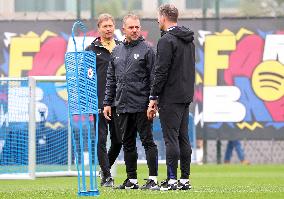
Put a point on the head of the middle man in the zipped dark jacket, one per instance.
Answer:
(131, 27)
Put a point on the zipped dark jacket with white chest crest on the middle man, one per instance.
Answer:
(129, 76)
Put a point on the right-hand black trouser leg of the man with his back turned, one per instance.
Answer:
(184, 144)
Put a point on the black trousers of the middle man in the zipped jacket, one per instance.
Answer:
(129, 124)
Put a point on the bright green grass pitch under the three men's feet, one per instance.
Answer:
(208, 181)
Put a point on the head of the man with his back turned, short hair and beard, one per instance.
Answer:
(167, 16)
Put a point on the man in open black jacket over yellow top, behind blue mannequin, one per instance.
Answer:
(103, 47)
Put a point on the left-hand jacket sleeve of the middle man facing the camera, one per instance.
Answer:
(110, 85)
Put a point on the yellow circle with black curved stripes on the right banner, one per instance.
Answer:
(268, 80)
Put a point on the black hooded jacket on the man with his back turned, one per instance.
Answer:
(175, 67)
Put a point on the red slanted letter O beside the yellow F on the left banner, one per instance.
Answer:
(50, 57)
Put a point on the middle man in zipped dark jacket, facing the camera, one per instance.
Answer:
(128, 85)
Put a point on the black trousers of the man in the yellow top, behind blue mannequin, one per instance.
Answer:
(107, 159)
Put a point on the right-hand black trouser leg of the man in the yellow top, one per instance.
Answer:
(115, 137)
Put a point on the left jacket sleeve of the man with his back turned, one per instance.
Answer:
(163, 63)
